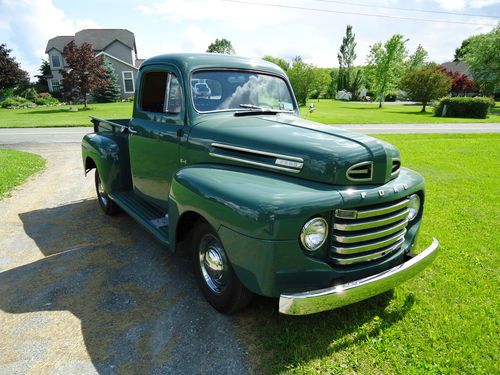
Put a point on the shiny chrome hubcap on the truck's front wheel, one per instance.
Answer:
(213, 263)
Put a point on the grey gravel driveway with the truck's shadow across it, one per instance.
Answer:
(84, 293)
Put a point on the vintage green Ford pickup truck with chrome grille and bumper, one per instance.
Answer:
(216, 159)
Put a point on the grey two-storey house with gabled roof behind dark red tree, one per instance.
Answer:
(116, 45)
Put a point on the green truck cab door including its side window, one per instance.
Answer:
(154, 140)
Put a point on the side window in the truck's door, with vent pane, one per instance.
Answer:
(161, 93)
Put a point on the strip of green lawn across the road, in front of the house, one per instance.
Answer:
(60, 116)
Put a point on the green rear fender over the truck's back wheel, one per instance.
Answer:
(109, 152)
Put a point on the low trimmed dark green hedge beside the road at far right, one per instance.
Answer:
(465, 107)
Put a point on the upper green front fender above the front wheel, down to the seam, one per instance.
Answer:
(255, 203)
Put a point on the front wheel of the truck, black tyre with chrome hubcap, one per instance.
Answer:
(216, 278)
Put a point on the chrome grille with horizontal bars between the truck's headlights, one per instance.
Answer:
(368, 233)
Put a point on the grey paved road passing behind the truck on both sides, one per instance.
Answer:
(51, 135)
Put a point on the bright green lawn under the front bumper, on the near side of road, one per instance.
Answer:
(444, 321)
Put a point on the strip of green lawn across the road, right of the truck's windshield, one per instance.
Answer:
(338, 112)
